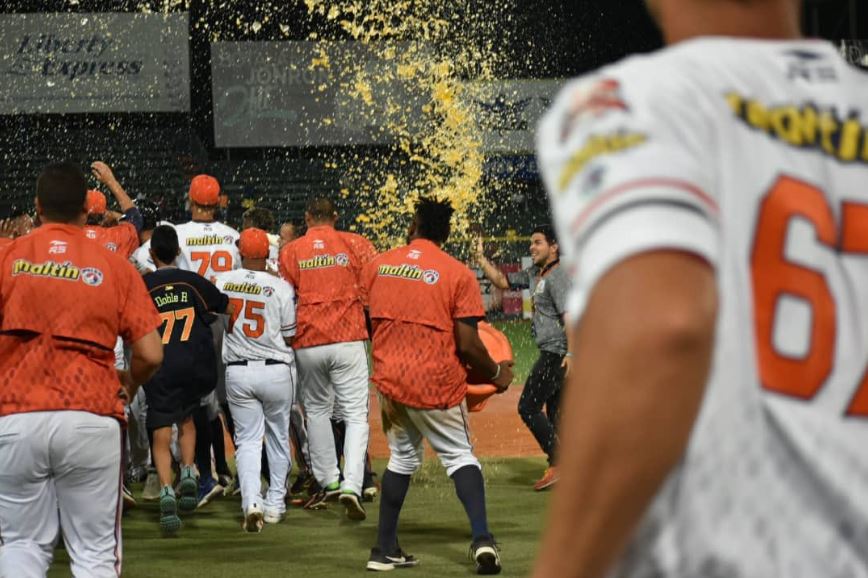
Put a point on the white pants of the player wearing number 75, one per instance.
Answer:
(260, 397)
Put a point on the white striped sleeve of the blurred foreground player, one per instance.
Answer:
(627, 158)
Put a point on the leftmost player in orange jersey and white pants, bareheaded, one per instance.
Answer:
(61, 408)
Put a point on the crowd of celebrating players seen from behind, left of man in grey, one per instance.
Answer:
(217, 325)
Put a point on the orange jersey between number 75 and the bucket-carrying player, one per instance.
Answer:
(324, 266)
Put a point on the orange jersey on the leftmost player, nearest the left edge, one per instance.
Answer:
(63, 303)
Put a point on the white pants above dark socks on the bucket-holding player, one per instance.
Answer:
(447, 431)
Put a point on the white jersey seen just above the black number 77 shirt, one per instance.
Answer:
(208, 248)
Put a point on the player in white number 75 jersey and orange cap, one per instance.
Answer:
(260, 376)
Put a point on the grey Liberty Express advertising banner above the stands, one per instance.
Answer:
(94, 63)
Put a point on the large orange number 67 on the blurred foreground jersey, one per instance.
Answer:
(775, 277)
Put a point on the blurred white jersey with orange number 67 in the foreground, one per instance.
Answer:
(752, 155)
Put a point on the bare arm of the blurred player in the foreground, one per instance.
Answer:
(642, 356)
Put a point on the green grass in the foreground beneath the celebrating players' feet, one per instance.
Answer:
(311, 544)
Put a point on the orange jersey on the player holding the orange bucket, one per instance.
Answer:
(416, 293)
